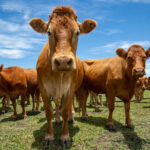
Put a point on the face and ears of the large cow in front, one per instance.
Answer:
(63, 31)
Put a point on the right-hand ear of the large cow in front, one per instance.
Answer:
(87, 26)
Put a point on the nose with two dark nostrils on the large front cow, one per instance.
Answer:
(63, 63)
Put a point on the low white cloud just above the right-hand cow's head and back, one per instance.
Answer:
(111, 47)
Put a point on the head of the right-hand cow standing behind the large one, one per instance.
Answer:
(135, 58)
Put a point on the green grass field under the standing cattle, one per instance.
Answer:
(28, 134)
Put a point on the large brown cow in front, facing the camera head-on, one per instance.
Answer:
(60, 72)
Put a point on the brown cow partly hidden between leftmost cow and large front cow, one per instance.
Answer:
(32, 87)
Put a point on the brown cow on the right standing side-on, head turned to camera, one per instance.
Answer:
(116, 77)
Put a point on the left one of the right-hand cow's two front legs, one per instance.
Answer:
(111, 101)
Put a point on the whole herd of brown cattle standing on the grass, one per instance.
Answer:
(61, 75)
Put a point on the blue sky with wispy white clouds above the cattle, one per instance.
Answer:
(121, 23)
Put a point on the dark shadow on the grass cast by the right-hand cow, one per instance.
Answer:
(131, 139)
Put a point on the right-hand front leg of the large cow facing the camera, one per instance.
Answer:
(66, 107)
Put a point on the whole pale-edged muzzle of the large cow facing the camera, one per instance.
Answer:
(63, 63)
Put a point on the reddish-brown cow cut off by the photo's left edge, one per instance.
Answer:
(13, 84)
